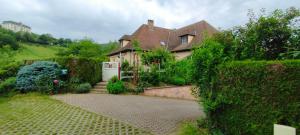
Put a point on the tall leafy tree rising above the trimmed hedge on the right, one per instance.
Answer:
(267, 36)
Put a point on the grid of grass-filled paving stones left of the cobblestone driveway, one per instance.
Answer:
(59, 118)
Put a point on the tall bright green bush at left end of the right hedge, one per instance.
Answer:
(205, 62)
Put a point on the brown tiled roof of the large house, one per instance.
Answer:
(153, 37)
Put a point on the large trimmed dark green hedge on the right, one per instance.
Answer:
(251, 96)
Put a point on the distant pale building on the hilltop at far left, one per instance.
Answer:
(15, 26)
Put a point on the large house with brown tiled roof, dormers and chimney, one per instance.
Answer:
(179, 41)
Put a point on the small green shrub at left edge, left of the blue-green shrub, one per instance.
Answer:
(7, 85)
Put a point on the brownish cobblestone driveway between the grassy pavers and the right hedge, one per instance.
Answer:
(157, 115)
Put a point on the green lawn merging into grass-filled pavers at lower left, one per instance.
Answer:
(39, 114)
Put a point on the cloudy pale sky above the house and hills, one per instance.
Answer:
(108, 20)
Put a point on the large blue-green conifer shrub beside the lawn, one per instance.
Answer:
(37, 76)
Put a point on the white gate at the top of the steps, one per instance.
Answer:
(109, 69)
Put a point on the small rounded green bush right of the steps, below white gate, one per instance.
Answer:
(115, 86)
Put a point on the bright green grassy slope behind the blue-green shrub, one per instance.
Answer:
(30, 52)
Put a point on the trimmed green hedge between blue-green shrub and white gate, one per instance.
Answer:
(85, 69)
